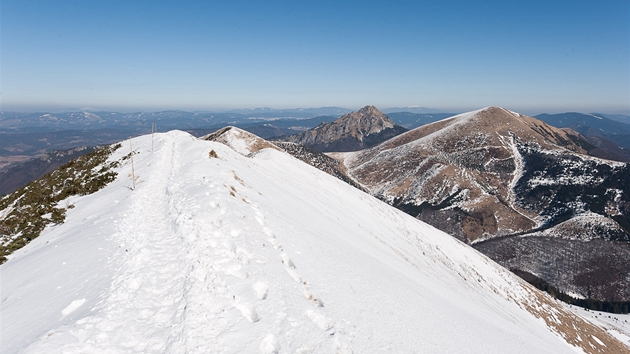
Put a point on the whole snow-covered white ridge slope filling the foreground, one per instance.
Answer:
(263, 255)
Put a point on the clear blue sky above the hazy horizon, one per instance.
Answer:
(528, 56)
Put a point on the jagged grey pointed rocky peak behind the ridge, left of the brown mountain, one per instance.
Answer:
(353, 131)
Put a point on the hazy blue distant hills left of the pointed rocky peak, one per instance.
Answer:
(24, 135)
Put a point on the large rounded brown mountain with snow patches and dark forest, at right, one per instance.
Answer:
(500, 180)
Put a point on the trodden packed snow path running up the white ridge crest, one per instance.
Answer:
(149, 285)
